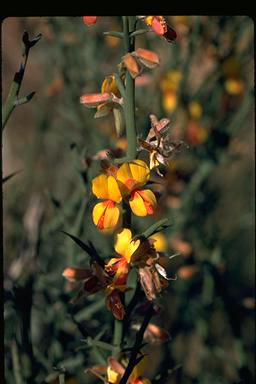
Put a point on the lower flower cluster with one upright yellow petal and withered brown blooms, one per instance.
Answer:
(143, 255)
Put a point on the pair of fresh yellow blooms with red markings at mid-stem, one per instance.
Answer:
(125, 183)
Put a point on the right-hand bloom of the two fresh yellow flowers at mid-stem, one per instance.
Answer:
(131, 177)
